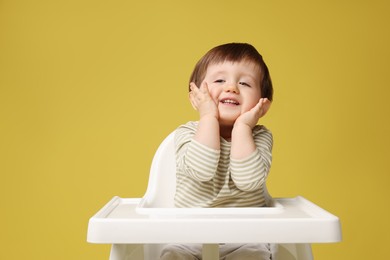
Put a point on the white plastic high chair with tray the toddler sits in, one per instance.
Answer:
(138, 228)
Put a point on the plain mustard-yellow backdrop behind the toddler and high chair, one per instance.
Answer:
(88, 89)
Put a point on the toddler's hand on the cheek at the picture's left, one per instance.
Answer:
(202, 102)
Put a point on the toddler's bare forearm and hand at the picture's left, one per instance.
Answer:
(208, 128)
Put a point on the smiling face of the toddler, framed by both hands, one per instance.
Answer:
(234, 87)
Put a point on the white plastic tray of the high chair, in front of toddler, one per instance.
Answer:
(295, 220)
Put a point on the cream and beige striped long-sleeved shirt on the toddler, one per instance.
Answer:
(210, 178)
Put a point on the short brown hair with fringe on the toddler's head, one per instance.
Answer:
(234, 52)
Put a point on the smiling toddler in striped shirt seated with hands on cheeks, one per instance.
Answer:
(223, 159)
